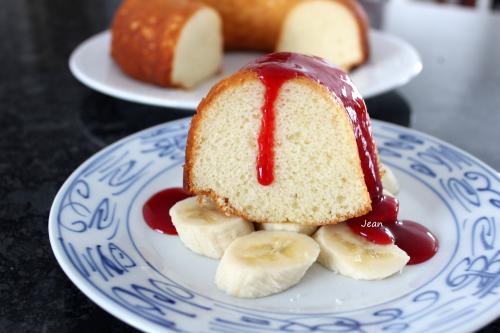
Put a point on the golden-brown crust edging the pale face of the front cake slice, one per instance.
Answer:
(224, 203)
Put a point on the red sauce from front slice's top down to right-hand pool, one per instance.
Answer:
(274, 70)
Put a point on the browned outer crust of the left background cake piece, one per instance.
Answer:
(145, 34)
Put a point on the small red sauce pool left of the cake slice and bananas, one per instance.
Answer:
(155, 210)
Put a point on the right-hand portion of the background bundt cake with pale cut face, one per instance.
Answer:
(336, 30)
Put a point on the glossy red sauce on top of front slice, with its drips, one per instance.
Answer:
(277, 68)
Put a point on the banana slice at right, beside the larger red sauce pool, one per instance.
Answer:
(351, 255)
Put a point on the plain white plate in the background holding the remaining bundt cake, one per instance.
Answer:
(393, 63)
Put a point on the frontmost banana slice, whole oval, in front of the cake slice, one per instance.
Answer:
(265, 262)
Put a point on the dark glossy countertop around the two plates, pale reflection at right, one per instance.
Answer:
(51, 123)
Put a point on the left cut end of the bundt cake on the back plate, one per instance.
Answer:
(167, 42)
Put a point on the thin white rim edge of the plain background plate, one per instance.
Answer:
(187, 105)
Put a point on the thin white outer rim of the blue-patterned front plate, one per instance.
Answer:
(95, 294)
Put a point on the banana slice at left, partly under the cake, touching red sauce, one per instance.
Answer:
(204, 229)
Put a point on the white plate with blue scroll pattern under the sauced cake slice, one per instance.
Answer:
(154, 283)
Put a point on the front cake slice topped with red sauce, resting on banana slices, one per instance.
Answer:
(287, 139)
